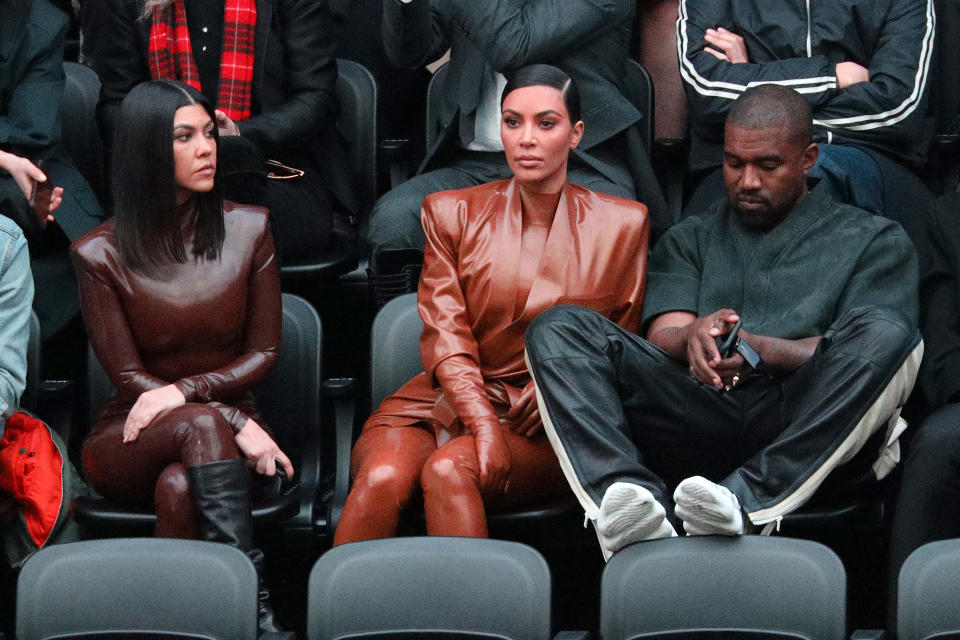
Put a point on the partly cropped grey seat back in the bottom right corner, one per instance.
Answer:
(928, 593)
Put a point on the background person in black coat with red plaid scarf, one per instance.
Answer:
(269, 68)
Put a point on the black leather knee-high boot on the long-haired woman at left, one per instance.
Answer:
(220, 491)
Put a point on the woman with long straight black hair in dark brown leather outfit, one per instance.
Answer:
(180, 294)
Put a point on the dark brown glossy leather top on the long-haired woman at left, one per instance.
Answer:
(209, 326)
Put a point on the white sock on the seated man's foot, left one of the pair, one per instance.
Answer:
(629, 513)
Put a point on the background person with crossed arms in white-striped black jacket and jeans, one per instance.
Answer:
(862, 68)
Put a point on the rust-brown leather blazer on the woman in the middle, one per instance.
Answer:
(594, 256)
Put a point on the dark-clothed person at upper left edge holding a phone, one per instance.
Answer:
(31, 89)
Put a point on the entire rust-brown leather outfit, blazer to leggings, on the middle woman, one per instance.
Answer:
(471, 300)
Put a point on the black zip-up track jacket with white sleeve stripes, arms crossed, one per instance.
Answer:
(798, 43)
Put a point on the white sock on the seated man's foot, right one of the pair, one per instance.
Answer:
(707, 508)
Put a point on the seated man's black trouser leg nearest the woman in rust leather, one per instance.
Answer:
(616, 407)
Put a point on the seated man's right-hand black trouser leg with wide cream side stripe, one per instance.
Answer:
(859, 376)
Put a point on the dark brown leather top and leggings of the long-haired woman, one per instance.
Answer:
(211, 327)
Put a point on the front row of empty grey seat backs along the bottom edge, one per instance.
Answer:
(750, 587)
